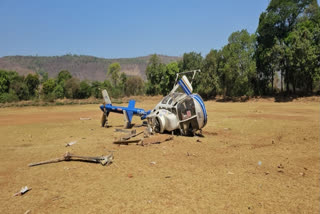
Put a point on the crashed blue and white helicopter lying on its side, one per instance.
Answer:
(183, 113)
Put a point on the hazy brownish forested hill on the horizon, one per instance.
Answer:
(82, 67)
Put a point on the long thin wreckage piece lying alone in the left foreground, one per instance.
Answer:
(104, 160)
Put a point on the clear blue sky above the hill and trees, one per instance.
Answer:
(122, 28)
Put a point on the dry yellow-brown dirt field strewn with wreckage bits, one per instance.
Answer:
(256, 157)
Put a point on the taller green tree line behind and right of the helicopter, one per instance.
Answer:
(284, 50)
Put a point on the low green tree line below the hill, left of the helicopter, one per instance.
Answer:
(15, 87)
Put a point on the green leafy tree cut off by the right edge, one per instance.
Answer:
(303, 50)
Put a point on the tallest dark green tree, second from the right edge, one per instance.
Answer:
(273, 43)
